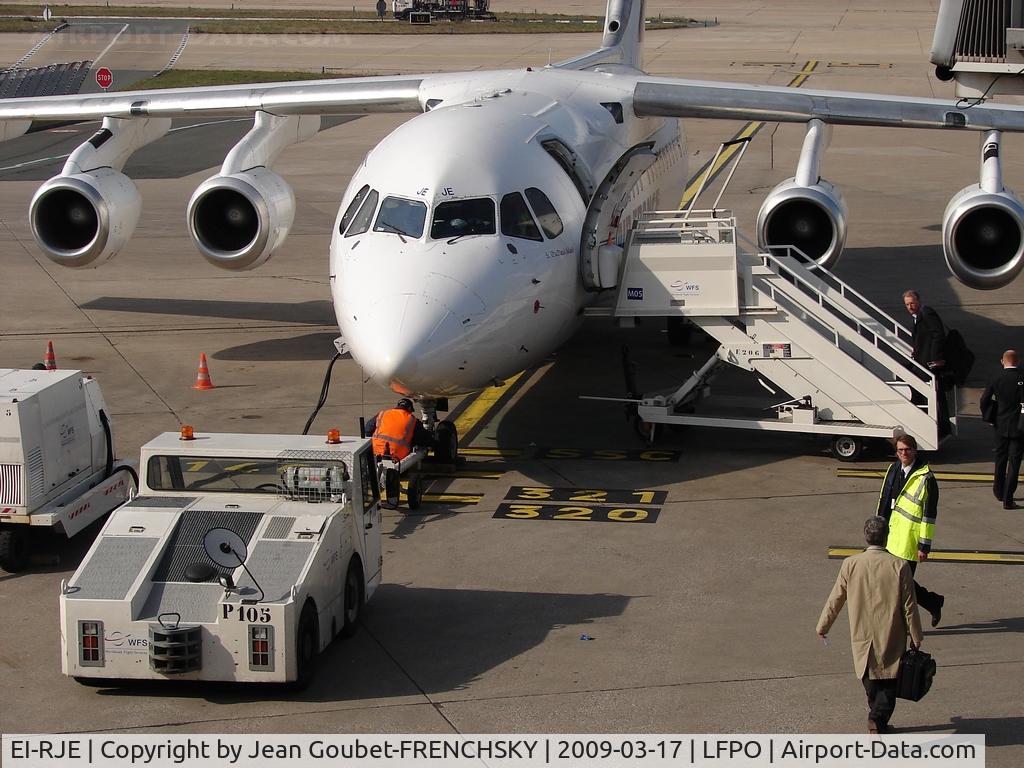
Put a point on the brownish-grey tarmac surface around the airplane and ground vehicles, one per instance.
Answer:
(703, 617)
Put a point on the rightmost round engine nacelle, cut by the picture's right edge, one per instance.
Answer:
(984, 237)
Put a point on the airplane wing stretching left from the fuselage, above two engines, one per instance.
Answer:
(303, 98)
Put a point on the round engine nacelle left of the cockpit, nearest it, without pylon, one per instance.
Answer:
(239, 221)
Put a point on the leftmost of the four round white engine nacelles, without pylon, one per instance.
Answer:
(83, 220)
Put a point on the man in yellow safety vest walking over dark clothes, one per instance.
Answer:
(910, 501)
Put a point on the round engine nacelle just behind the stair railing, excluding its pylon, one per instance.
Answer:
(813, 219)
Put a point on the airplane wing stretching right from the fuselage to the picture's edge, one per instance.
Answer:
(696, 99)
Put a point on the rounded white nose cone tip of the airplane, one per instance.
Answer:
(403, 340)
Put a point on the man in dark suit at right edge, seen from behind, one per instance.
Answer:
(1007, 391)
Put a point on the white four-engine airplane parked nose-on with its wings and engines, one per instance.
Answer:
(473, 237)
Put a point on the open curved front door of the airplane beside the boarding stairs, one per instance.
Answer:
(601, 258)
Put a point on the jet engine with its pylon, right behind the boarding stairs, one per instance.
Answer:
(806, 211)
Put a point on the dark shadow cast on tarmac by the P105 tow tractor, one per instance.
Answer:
(416, 643)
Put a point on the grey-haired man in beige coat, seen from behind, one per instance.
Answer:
(883, 612)
